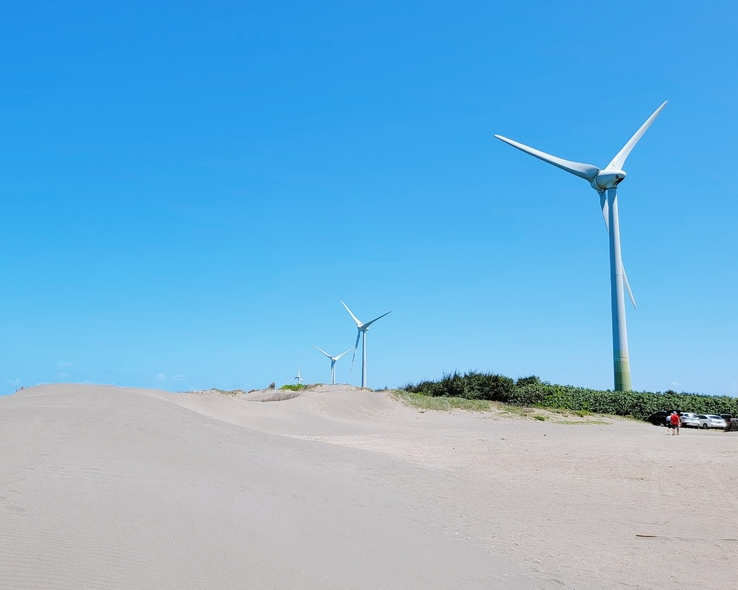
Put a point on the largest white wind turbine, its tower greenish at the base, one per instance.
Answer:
(605, 182)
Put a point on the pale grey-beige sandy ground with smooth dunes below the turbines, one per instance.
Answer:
(104, 487)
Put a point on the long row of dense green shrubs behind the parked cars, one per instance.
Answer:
(531, 391)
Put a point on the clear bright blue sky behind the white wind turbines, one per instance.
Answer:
(188, 190)
